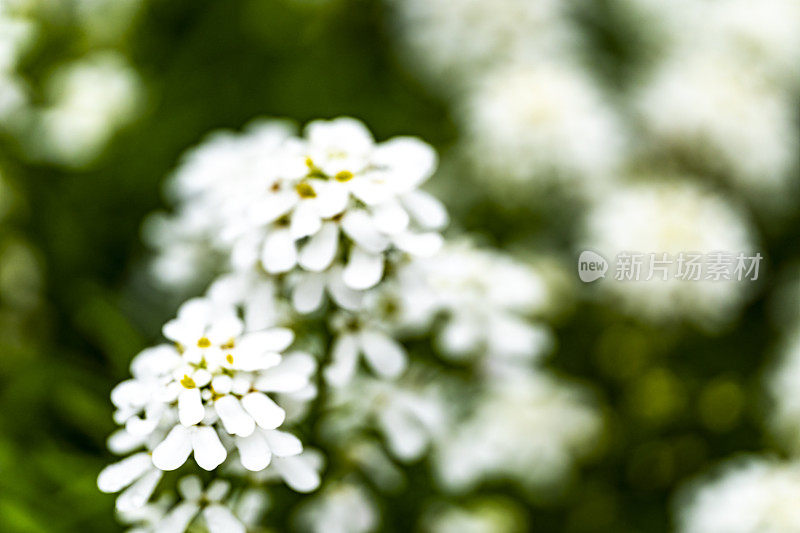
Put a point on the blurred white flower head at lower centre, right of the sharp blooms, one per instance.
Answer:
(525, 427)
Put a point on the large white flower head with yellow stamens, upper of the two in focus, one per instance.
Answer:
(333, 200)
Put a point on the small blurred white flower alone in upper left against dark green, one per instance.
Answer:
(90, 99)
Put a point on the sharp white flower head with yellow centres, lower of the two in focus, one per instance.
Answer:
(207, 395)
